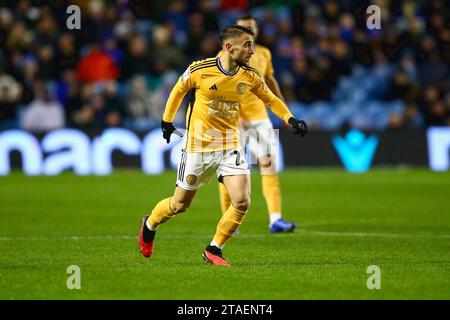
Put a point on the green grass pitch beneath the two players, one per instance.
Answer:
(398, 220)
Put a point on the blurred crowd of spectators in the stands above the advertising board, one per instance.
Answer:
(119, 68)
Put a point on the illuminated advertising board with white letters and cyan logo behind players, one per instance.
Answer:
(100, 152)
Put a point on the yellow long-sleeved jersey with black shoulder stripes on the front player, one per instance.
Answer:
(212, 119)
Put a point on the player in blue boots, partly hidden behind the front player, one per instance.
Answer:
(256, 122)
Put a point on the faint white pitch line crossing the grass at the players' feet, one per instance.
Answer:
(242, 235)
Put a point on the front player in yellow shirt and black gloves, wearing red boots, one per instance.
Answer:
(211, 143)
